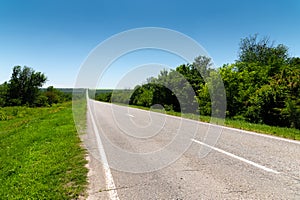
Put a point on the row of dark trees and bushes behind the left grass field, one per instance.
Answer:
(24, 89)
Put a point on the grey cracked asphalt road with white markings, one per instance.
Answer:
(147, 155)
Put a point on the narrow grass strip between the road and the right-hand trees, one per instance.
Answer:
(289, 133)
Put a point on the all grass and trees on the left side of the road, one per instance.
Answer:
(41, 156)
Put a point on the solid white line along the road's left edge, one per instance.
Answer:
(111, 187)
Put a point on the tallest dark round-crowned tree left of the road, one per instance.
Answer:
(23, 87)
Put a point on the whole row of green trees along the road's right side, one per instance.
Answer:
(262, 86)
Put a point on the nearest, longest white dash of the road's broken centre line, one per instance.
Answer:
(237, 157)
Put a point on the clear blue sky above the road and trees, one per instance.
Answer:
(55, 36)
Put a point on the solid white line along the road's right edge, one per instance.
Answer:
(224, 127)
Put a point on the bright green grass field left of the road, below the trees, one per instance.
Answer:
(40, 154)
